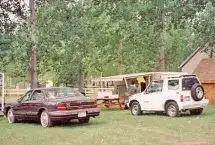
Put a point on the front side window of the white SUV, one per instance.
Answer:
(156, 86)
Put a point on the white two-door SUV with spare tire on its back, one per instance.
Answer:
(172, 95)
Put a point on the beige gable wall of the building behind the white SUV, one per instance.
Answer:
(191, 65)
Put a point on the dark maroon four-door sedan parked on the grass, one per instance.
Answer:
(52, 104)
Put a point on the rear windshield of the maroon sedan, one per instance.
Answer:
(58, 93)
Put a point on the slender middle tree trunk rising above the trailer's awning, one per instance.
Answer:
(120, 58)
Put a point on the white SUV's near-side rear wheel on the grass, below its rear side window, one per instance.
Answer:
(172, 109)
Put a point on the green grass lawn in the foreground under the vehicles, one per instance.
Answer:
(115, 127)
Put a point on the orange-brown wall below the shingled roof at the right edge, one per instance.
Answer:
(210, 91)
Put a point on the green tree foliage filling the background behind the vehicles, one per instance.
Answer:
(86, 36)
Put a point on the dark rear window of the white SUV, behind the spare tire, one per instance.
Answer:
(187, 83)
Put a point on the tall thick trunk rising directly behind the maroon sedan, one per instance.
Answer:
(33, 58)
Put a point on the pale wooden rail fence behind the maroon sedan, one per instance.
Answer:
(14, 94)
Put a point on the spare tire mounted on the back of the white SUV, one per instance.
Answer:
(197, 92)
